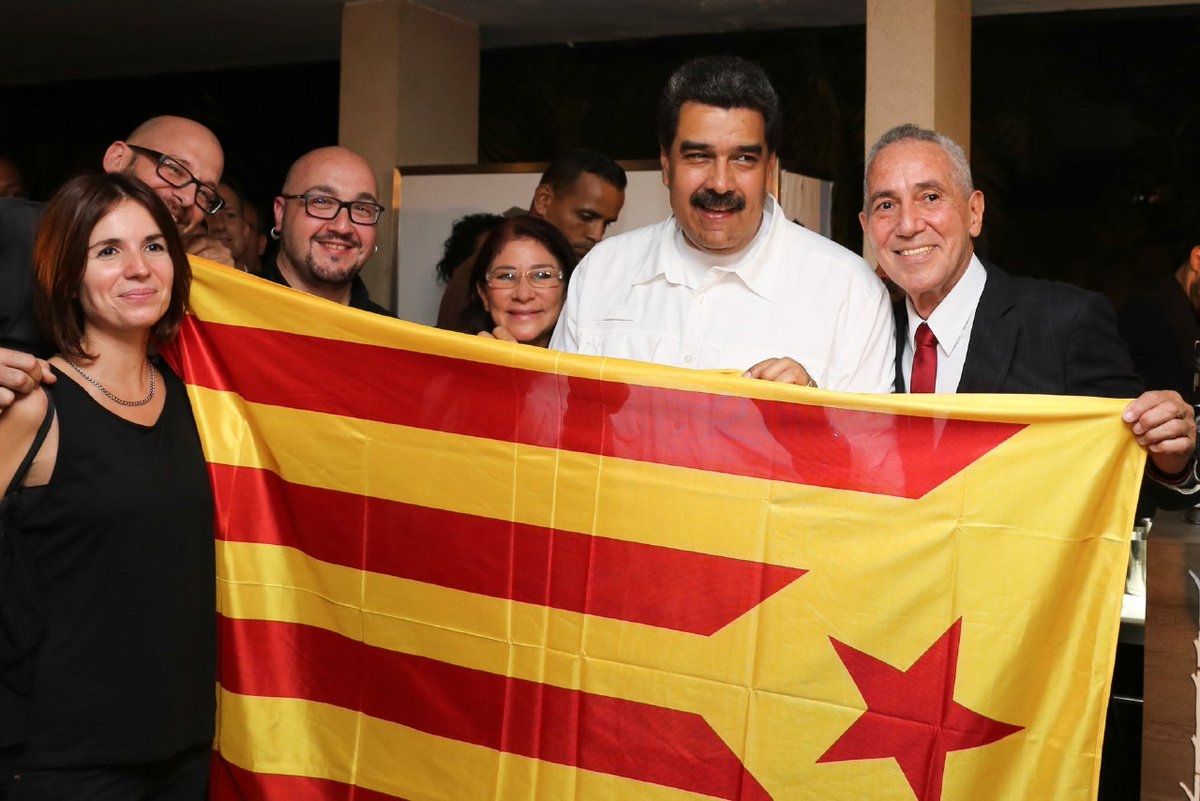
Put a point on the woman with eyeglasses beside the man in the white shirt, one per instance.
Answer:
(520, 279)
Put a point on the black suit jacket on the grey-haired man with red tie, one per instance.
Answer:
(1040, 338)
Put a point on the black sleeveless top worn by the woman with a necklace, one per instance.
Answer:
(124, 556)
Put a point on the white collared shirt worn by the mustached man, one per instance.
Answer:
(651, 297)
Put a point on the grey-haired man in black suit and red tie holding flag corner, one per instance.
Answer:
(971, 328)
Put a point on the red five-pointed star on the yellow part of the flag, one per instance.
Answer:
(911, 715)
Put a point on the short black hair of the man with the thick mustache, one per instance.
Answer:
(724, 82)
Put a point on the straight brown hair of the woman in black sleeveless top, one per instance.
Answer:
(61, 256)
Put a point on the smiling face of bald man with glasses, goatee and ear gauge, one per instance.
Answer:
(320, 256)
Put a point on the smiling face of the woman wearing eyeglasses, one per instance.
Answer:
(529, 314)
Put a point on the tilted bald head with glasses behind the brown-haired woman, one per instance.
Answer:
(188, 143)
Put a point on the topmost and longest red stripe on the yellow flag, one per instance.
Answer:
(890, 455)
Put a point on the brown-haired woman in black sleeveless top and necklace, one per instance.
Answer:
(107, 567)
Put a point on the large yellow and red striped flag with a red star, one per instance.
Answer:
(464, 570)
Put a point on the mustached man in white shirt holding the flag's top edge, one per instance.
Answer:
(728, 282)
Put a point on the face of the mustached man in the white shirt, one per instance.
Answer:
(717, 174)
